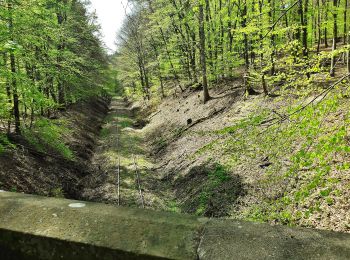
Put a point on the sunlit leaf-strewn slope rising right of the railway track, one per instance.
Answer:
(212, 160)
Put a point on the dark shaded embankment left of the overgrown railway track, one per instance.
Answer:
(35, 166)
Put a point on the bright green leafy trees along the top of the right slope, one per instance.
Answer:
(283, 40)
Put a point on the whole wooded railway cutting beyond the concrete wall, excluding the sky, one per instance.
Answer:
(215, 108)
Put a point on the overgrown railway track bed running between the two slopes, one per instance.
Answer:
(125, 177)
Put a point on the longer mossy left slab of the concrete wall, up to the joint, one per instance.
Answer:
(48, 228)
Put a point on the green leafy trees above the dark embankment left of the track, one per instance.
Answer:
(51, 57)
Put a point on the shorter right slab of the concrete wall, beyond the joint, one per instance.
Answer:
(226, 239)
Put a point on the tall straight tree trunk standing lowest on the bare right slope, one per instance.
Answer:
(206, 95)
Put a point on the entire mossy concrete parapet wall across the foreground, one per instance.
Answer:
(34, 227)
